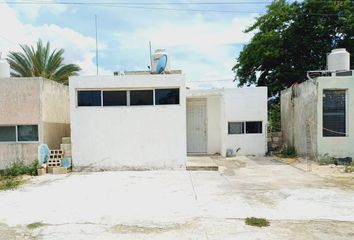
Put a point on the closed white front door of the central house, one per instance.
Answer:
(196, 126)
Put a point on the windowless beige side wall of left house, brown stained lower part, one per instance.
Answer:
(55, 111)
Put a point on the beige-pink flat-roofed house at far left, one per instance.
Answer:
(33, 110)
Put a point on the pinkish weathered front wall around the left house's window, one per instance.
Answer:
(19, 104)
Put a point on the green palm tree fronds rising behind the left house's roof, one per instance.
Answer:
(41, 62)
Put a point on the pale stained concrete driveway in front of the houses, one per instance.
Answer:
(181, 204)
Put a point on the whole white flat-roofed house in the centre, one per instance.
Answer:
(141, 120)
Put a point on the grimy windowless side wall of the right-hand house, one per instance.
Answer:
(298, 113)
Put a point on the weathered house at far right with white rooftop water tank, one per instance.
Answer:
(316, 116)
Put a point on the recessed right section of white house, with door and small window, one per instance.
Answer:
(231, 118)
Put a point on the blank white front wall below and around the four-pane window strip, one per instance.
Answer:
(142, 137)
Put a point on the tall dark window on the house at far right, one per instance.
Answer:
(334, 116)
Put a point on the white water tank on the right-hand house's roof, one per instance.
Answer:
(338, 60)
